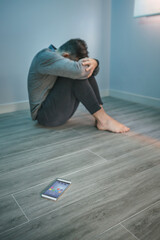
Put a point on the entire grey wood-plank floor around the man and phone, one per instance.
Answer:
(115, 191)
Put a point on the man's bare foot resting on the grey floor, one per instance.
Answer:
(112, 125)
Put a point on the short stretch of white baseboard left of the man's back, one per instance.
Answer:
(12, 107)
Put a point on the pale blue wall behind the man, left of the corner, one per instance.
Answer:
(27, 26)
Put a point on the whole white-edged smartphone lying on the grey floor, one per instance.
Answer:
(56, 189)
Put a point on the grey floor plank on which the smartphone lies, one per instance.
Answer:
(91, 180)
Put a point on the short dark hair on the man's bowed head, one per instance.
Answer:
(75, 47)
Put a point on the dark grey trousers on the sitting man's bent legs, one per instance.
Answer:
(64, 98)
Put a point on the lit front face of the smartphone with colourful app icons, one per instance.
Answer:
(56, 189)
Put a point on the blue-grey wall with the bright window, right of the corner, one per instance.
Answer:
(135, 51)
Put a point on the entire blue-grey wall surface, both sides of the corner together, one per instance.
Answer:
(28, 26)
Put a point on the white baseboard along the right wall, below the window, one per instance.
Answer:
(150, 101)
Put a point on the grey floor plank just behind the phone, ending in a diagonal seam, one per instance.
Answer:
(30, 176)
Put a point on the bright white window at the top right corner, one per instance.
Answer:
(144, 8)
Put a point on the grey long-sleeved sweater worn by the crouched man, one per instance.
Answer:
(46, 66)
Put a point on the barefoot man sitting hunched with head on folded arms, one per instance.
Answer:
(59, 79)
